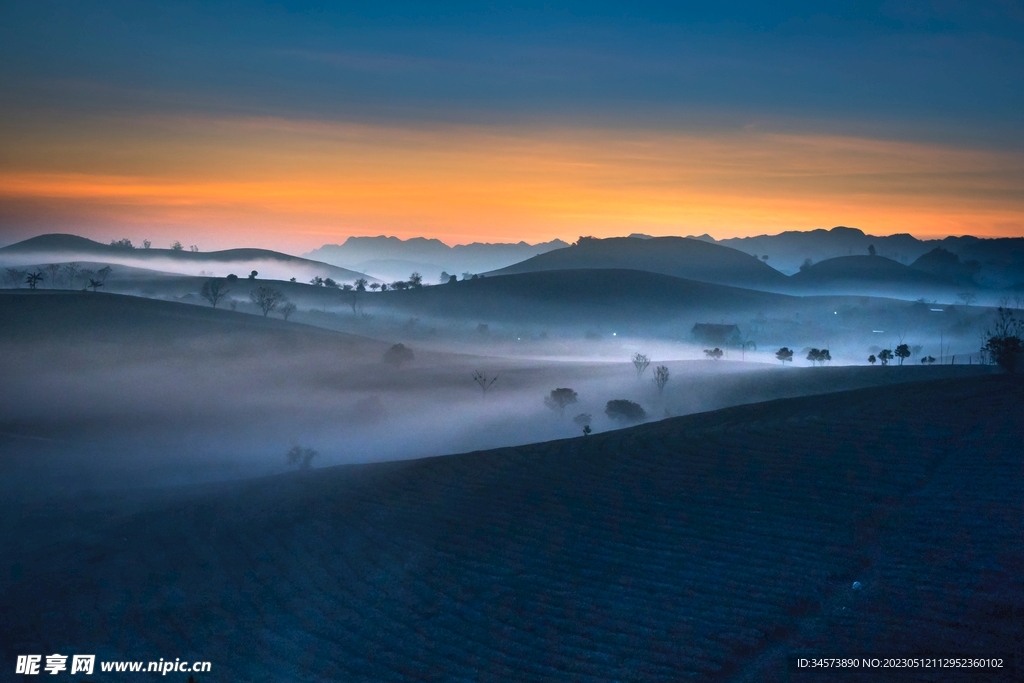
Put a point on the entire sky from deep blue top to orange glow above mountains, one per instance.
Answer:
(290, 125)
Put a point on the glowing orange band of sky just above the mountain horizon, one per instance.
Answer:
(295, 185)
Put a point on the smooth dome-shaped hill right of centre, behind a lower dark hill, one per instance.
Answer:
(679, 258)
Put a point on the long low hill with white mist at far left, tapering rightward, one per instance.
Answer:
(65, 248)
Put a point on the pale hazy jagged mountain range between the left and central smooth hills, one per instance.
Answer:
(393, 259)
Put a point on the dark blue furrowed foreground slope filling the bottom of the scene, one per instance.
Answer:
(703, 548)
